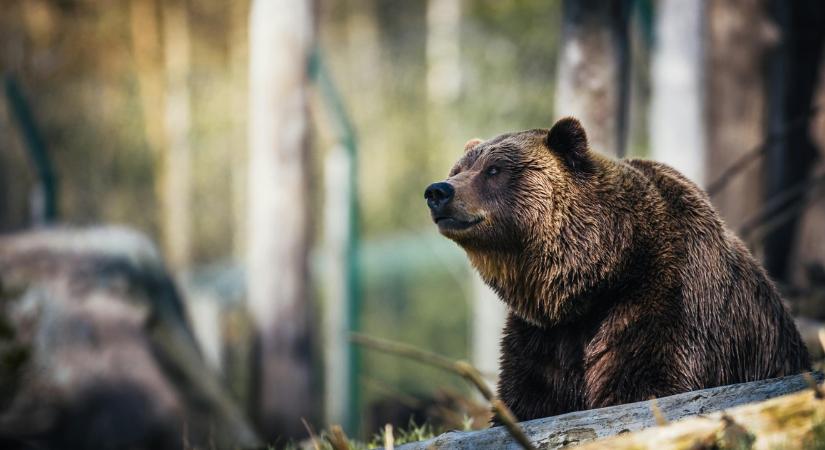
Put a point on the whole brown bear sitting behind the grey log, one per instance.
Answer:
(621, 280)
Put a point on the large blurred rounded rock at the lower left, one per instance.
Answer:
(95, 351)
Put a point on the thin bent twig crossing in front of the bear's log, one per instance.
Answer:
(462, 368)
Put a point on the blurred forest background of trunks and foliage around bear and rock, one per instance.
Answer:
(277, 154)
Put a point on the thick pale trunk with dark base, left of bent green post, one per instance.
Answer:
(281, 37)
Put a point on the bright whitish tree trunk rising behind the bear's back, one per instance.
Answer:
(677, 132)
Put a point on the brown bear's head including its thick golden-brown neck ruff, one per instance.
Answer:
(532, 211)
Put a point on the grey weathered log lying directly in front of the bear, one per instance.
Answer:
(583, 426)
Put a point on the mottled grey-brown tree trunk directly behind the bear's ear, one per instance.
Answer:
(592, 82)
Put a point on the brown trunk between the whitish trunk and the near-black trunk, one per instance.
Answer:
(738, 38)
